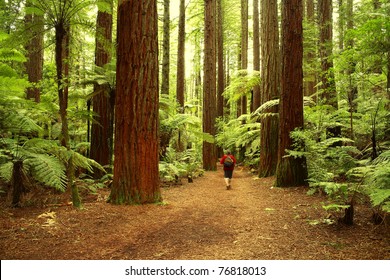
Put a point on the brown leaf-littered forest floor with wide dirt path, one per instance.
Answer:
(201, 220)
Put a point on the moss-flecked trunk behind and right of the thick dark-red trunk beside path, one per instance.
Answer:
(326, 49)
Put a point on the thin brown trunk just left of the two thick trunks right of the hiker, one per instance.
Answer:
(256, 53)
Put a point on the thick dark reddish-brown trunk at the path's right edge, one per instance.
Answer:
(291, 171)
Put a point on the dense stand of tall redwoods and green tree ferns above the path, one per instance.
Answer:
(296, 89)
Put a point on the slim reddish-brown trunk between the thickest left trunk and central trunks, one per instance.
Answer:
(180, 84)
